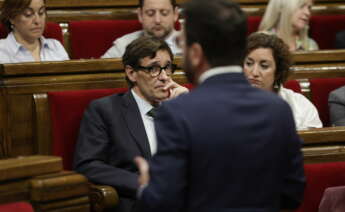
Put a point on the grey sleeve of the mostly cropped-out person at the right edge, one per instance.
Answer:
(336, 102)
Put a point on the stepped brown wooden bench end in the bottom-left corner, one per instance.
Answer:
(41, 181)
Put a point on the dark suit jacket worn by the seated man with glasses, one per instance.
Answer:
(111, 134)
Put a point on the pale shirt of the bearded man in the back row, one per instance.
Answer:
(120, 44)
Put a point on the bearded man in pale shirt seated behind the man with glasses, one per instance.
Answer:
(158, 18)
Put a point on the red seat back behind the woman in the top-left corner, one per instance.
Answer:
(52, 30)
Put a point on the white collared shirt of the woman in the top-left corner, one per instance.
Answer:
(13, 52)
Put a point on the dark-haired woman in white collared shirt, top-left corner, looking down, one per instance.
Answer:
(25, 20)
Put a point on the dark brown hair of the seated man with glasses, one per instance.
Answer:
(140, 48)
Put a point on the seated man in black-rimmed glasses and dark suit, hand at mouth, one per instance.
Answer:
(116, 128)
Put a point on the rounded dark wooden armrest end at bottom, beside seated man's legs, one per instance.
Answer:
(103, 197)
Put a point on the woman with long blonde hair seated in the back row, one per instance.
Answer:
(289, 20)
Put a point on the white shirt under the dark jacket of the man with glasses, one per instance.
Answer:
(145, 107)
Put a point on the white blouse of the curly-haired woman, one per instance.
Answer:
(304, 112)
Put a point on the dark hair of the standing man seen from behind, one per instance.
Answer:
(220, 27)
